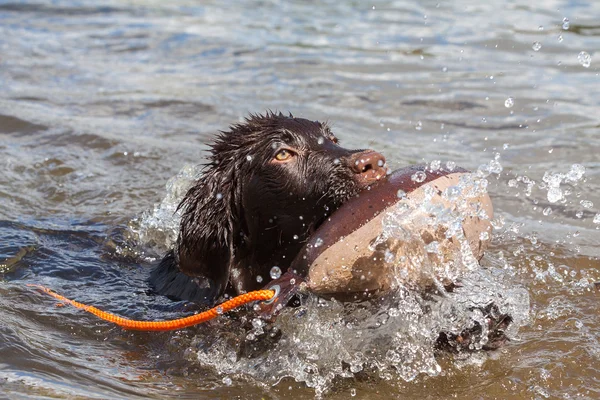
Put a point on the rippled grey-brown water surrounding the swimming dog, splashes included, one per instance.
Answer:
(102, 106)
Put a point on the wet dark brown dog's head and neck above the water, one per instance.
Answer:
(270, 182)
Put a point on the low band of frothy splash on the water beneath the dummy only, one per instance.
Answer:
(393, 339)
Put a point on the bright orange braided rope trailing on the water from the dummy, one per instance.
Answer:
(258, 295)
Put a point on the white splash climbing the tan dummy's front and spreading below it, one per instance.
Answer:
(393, 337)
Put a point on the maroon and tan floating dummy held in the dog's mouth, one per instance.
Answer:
(418, 227)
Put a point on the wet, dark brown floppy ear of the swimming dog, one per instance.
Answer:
(205, 243)
